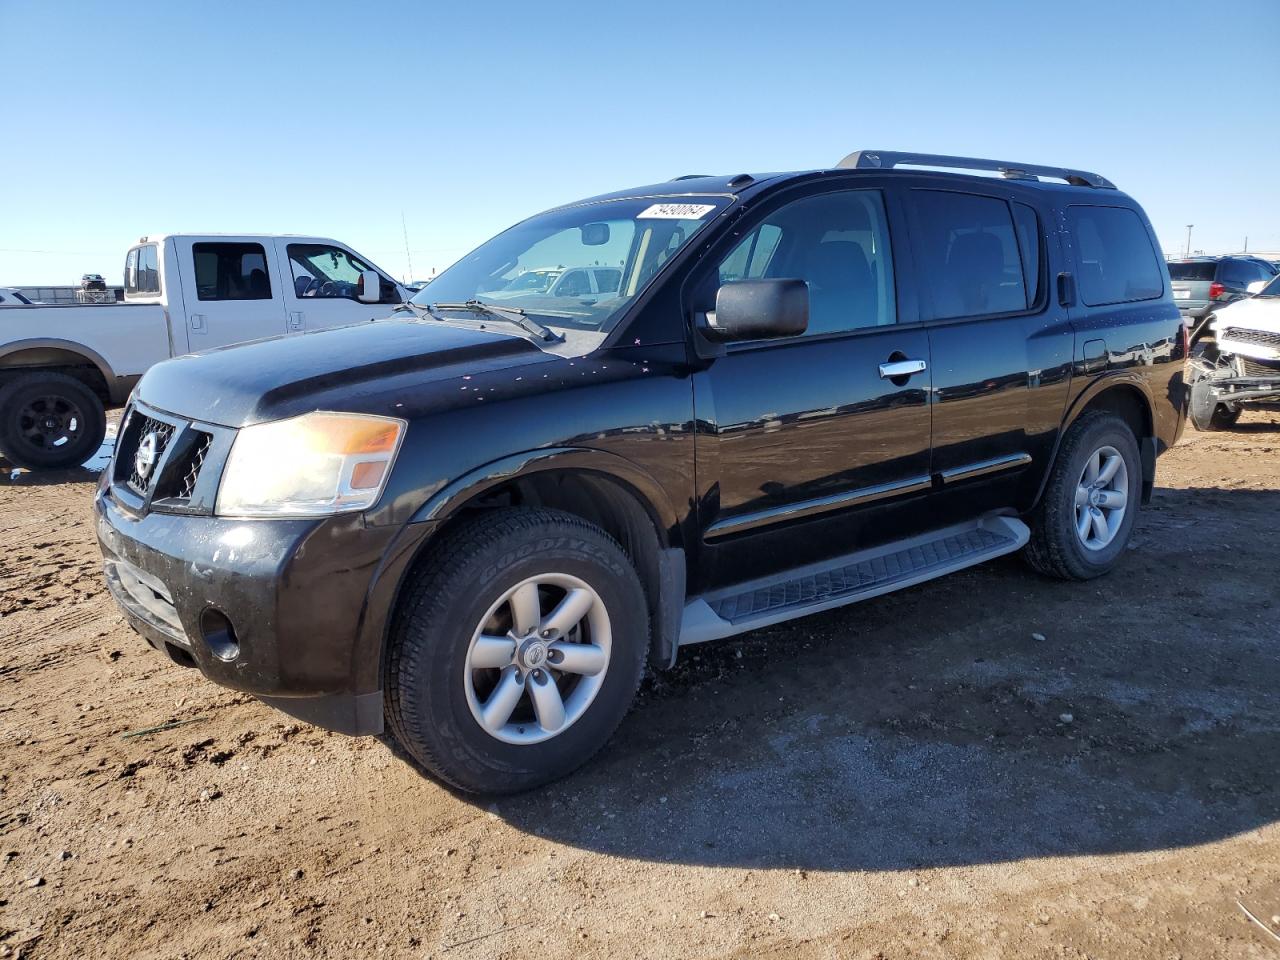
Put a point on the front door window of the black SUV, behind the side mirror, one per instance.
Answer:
(838, 244)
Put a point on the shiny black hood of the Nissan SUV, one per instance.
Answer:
(353, 368)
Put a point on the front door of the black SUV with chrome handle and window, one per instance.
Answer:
(813, 446)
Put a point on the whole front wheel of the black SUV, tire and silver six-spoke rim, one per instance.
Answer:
(516, 651)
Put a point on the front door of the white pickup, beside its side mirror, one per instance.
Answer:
(321, 286)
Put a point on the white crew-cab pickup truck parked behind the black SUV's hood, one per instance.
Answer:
(61, 367)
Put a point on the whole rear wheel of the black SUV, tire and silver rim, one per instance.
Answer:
(1087, 514)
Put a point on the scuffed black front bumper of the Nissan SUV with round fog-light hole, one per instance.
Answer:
(291, 611)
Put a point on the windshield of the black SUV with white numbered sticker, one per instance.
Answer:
(579, 267)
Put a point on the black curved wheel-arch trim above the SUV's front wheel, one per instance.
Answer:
(584, 459)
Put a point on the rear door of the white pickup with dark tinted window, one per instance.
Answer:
(231, 291)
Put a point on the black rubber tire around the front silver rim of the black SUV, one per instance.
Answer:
(447, 600)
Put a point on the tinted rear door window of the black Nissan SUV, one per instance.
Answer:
(971, 257)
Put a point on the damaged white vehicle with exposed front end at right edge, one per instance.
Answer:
(1237, 359)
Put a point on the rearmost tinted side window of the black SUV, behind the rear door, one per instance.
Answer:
(1117, 260)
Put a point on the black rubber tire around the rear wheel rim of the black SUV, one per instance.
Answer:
(1055, 548)
